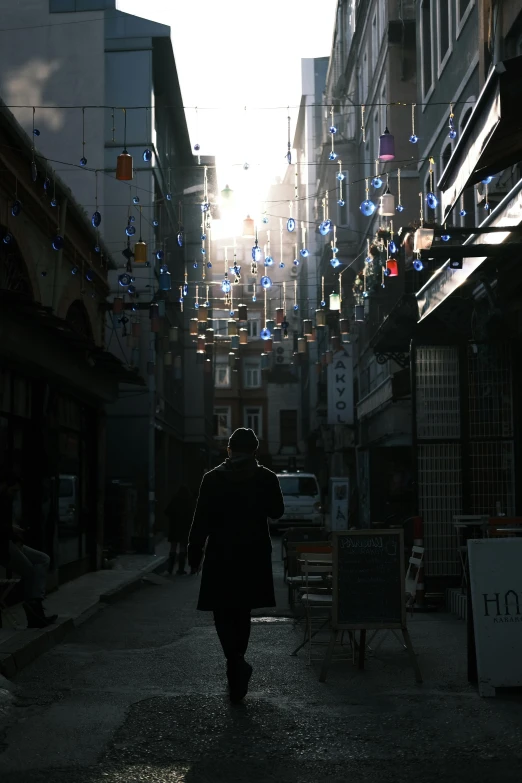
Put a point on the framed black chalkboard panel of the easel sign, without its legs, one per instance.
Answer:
(368, 579)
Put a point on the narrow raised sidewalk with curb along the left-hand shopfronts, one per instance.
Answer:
(16, 654)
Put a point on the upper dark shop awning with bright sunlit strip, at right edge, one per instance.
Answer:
(492, 138)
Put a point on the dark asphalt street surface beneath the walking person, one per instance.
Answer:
(137, 694)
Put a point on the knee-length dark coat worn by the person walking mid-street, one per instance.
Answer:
(235, 501)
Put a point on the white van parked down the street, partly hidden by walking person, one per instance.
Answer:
(302, 501)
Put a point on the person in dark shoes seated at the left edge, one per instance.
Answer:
(30, 564)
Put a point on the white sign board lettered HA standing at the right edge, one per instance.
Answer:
(496, 594)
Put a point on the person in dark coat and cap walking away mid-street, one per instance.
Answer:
(230, 542)
